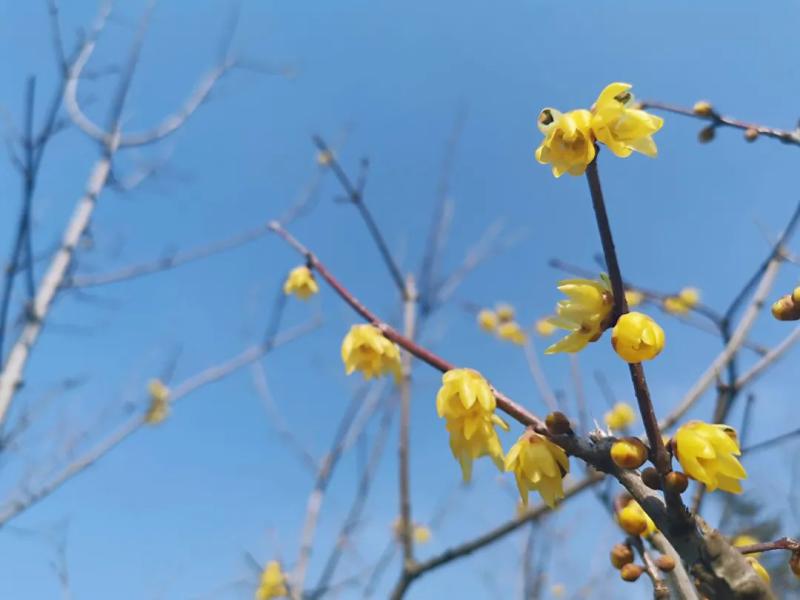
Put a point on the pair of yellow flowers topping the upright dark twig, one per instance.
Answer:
(614, 120)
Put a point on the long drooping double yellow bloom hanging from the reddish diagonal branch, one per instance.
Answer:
(467, 404)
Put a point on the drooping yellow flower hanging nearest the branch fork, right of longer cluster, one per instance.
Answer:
(538, 464)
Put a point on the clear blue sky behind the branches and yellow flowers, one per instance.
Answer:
(171, 512)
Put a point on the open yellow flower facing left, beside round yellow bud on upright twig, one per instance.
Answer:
(584, 313)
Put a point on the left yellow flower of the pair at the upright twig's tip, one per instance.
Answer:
(568, 144)
